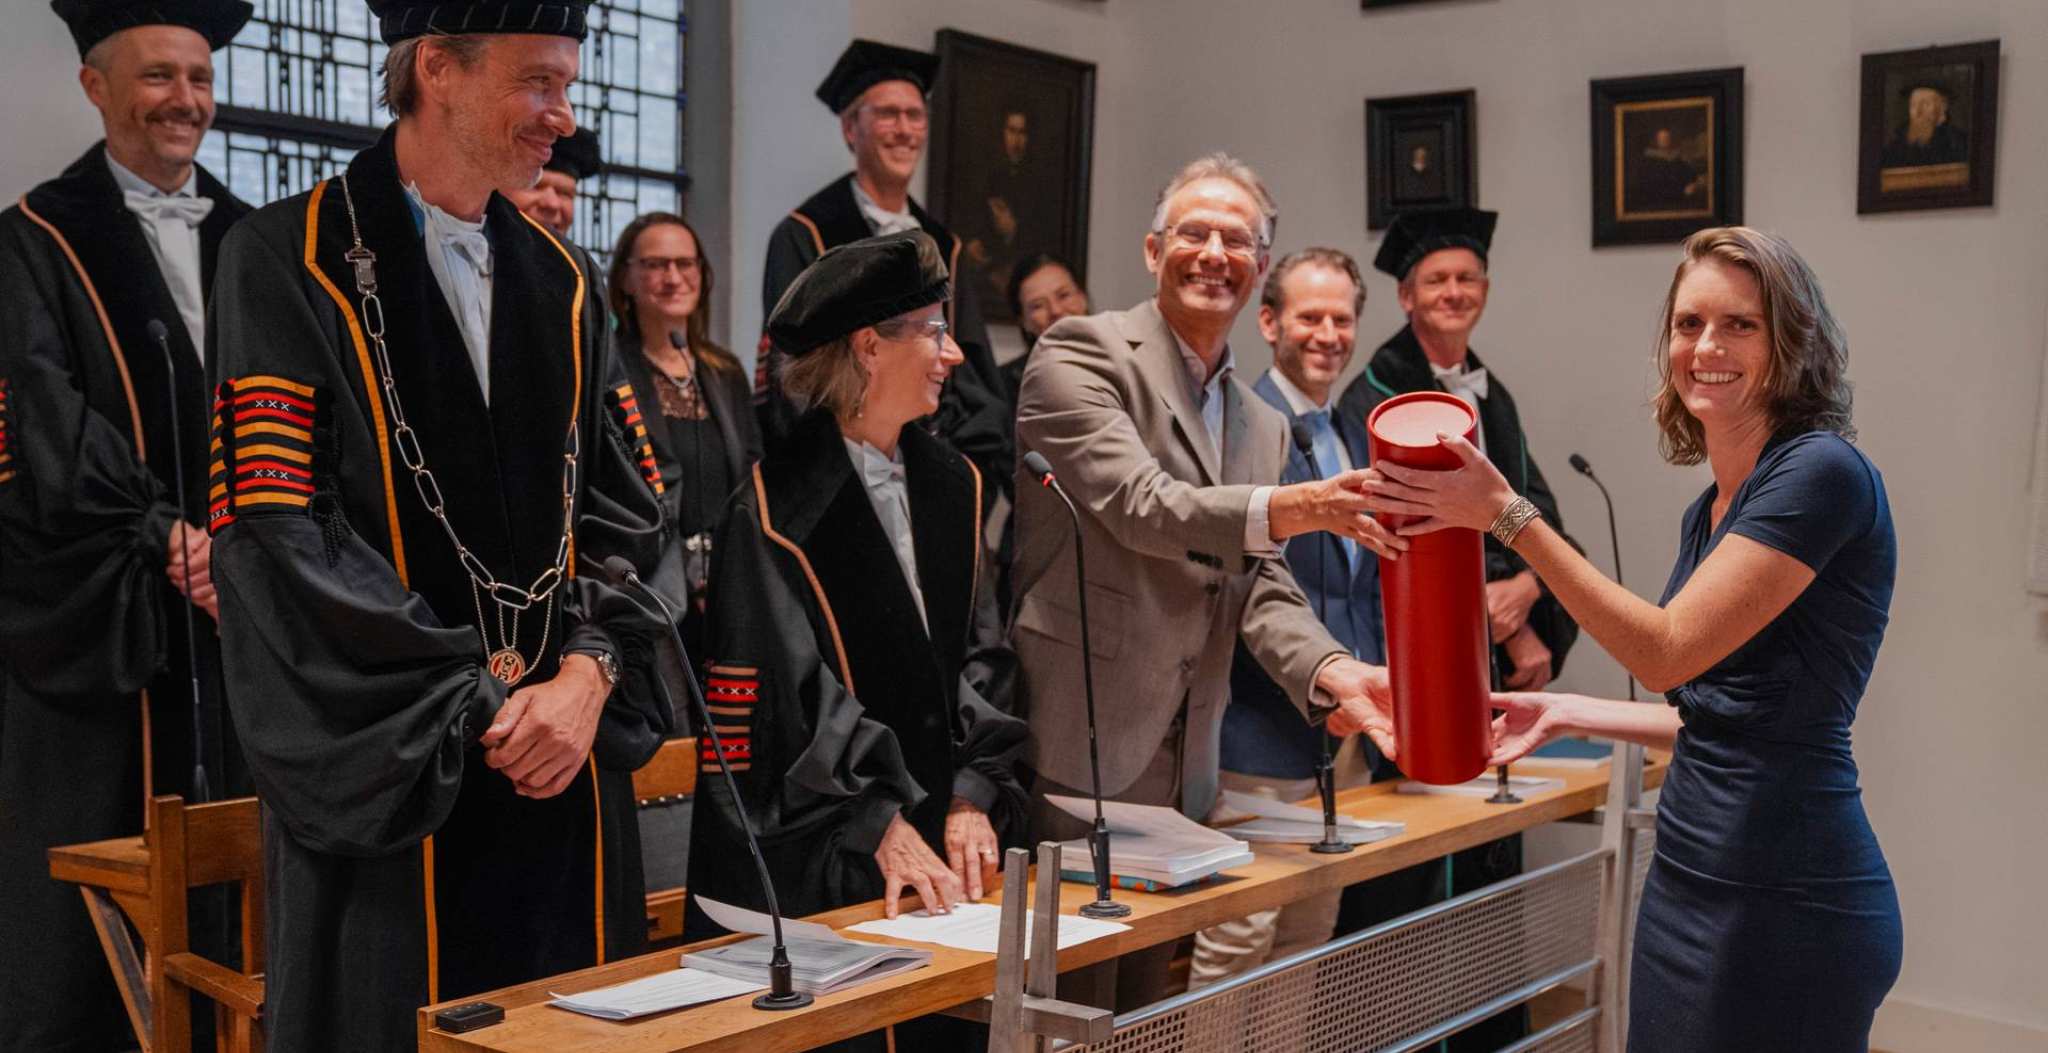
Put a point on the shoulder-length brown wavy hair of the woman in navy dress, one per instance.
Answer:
(1807, 374)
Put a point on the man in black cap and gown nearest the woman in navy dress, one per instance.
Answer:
(1441, 263)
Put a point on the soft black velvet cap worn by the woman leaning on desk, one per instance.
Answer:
(857, 286)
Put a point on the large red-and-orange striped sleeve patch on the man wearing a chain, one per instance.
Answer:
(263, 448)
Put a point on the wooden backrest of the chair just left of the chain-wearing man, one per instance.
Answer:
(191, 847)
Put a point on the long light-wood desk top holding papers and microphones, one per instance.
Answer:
(1283, 874)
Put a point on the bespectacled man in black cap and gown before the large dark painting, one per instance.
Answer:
(880, 95)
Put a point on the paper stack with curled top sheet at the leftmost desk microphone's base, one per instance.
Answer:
(822, 962)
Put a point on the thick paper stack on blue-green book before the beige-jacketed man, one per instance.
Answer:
(1150, 845)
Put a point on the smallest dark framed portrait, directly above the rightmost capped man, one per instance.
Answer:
(1420, 155)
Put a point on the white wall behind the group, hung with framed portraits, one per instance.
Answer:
(1945, 310)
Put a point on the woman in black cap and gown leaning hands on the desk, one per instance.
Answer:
(859, 702)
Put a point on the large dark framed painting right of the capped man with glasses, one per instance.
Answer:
(1013, 138)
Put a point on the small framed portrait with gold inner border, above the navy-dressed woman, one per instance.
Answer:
(1668, 157)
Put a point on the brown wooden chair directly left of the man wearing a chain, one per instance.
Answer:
(191, 847)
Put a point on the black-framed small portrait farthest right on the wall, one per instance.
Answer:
(1930, 128)
